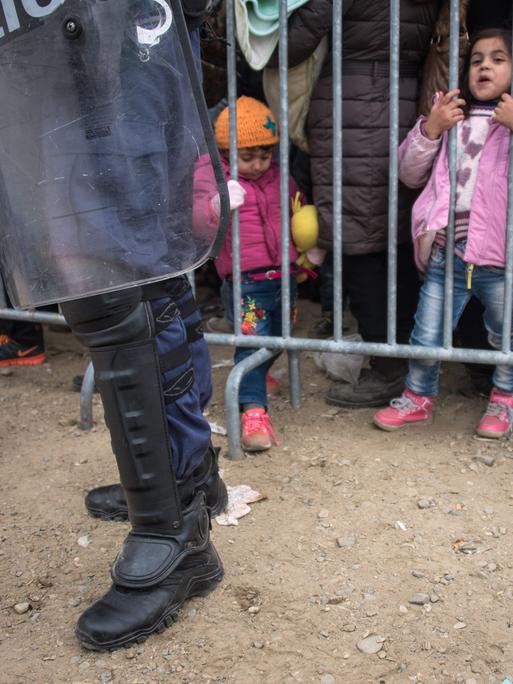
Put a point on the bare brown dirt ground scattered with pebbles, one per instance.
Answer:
(356, 525)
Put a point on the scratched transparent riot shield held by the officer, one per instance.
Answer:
(107, 163)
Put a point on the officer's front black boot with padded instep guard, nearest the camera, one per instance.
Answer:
(149, 587)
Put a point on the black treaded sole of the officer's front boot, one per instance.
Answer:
(199, 586)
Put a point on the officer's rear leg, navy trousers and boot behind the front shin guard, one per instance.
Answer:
(109, 502)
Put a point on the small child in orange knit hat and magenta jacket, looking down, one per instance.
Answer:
(257, 193)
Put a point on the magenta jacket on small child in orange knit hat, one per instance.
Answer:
(259, 216)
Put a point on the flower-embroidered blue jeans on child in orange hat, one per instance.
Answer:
(260, 313)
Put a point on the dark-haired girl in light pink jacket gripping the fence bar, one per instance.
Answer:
(484, 121)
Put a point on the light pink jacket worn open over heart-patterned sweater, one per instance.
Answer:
(424, 162)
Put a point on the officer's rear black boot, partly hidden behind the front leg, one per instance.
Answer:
(109, 502)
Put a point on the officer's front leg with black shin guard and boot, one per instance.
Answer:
(167, 557)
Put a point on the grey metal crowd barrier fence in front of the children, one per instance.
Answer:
(267, 347)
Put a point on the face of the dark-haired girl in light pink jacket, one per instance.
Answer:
(490, 69)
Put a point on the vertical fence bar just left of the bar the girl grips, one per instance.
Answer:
(392, 173)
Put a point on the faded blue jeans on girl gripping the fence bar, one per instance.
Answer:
(487, 285)
